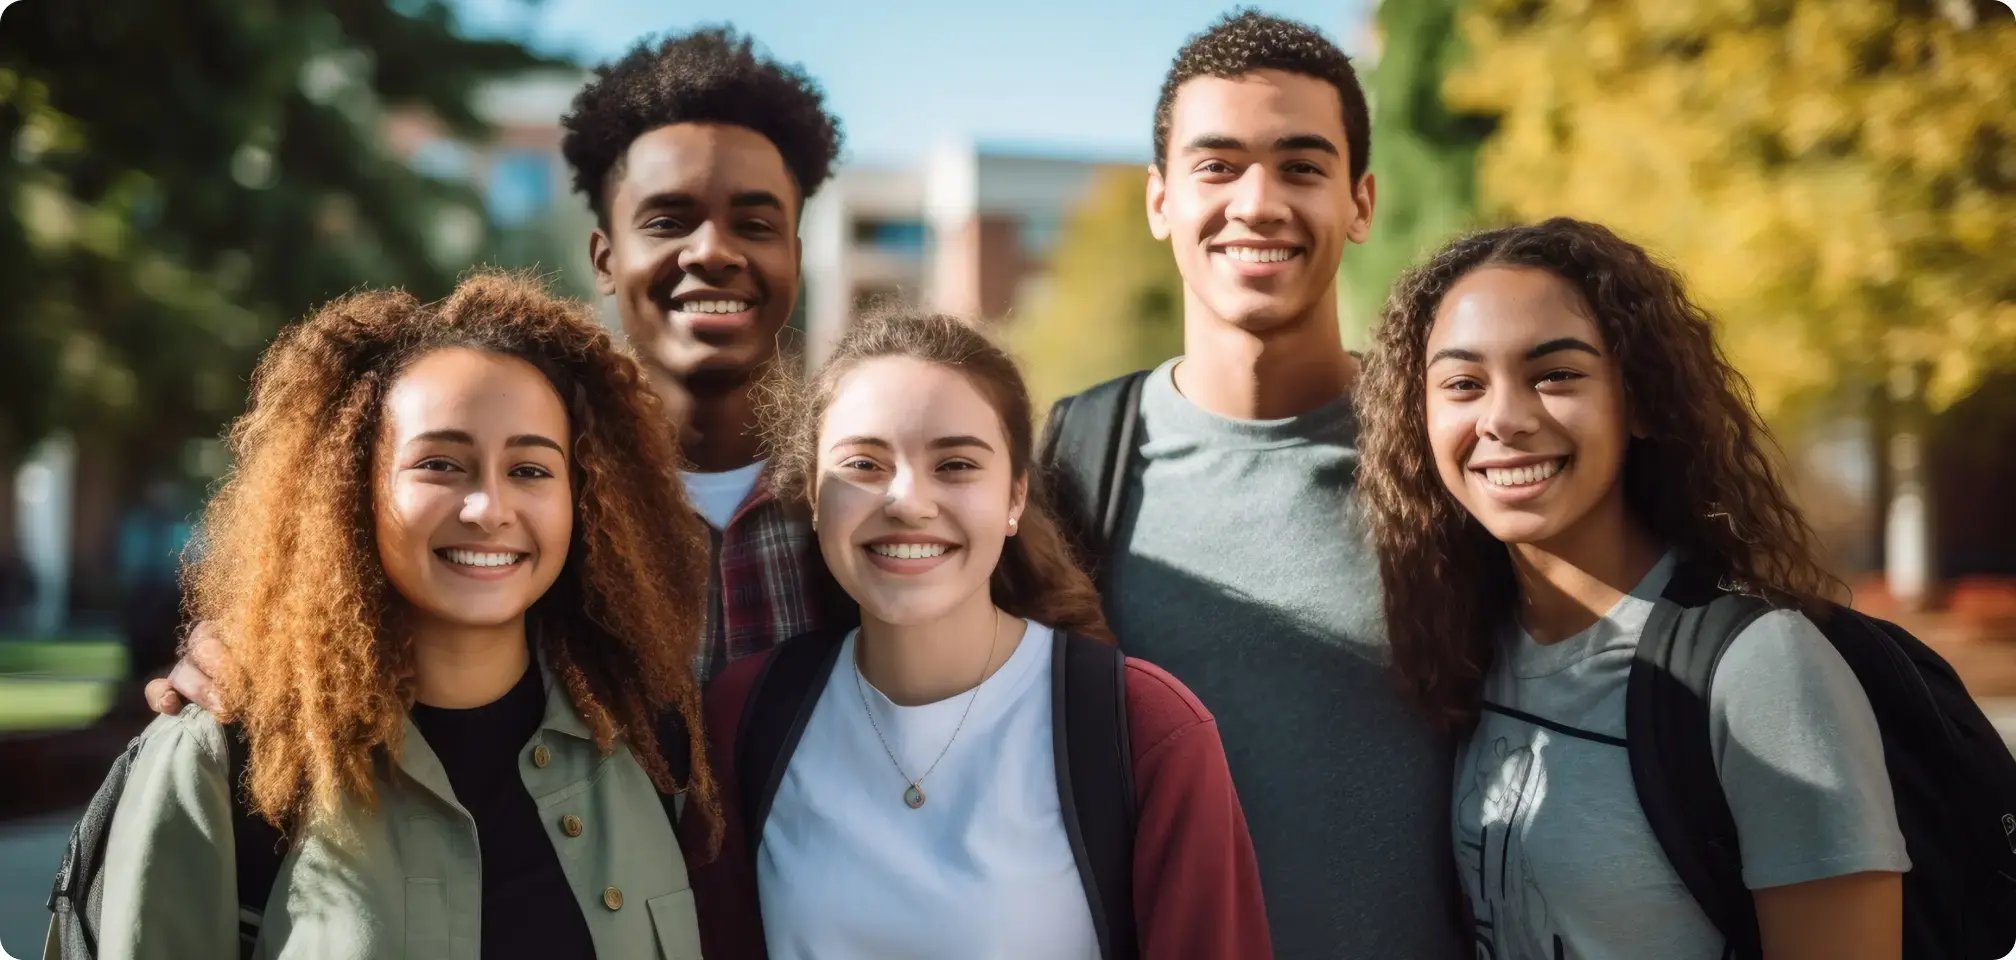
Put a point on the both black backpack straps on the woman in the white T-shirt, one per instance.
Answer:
(1094, 761)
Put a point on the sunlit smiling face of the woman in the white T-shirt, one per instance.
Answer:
(914, 491)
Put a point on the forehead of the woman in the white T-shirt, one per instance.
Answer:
(908, 400)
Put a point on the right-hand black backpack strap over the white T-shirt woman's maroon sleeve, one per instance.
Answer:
(1096, 782)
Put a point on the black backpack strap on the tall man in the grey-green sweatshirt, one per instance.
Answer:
(1088, 449)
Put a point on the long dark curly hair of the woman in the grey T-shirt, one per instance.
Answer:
(1703, 477)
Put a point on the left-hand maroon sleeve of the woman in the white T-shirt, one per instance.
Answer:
(725, 886)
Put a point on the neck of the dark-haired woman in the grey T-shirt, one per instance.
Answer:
(1571, 580)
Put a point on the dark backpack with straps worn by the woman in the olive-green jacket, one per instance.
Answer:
(78, 896)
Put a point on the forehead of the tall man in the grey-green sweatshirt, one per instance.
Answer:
(1263, 106)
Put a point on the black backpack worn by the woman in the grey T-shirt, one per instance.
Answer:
(1950, 771)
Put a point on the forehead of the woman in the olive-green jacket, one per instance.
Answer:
(483, 394)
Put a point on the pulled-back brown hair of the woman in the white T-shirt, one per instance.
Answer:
(1037, 576)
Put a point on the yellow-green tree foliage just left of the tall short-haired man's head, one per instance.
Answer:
(1114, 302)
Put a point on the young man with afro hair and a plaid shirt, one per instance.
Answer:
(697, 154)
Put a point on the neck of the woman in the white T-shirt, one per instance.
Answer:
(928, 663)
